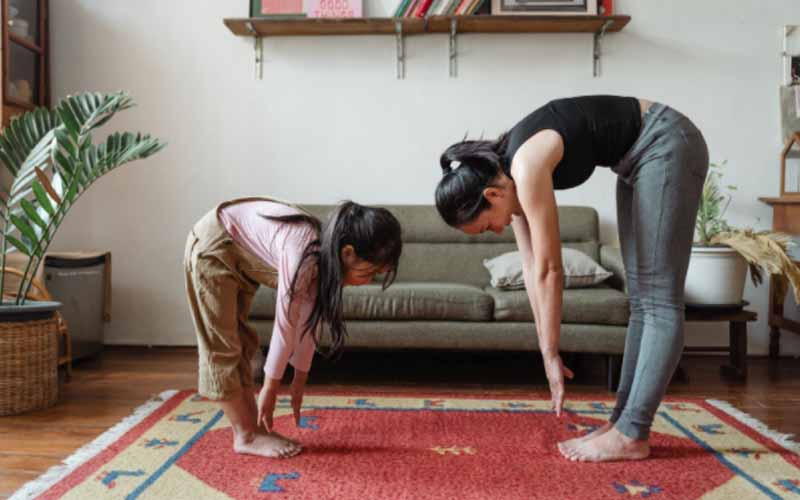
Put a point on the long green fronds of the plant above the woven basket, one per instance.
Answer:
(52, 160)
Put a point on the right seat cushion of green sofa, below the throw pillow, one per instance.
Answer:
(599, 305)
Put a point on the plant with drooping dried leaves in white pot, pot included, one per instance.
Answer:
(721, 255)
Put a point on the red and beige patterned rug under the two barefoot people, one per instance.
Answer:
(392, 447)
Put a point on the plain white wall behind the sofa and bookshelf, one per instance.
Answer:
(330, 121)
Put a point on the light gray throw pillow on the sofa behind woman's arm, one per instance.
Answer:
(580, 270)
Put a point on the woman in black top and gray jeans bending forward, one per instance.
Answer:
(661, 160)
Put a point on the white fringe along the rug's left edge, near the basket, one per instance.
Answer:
(57, 472)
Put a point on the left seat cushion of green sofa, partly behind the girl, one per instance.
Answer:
(401, 301)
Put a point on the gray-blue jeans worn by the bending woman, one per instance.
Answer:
(658, 192)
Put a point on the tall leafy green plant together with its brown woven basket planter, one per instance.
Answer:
(48, 160)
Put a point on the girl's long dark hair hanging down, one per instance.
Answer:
(375, 235)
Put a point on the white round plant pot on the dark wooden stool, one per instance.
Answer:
(716, 277)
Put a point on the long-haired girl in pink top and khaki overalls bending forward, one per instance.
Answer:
(246, 242)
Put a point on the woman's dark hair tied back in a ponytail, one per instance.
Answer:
(459, 195)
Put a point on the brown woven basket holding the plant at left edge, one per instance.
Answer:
(28, 365)
